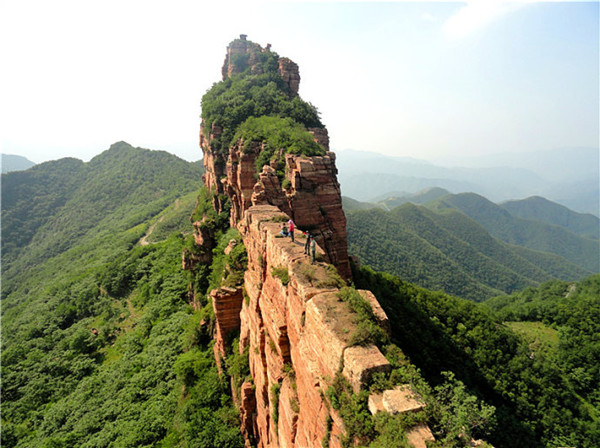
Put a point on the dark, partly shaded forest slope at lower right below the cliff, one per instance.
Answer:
(538, 401)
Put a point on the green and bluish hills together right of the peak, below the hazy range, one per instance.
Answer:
(468, 246)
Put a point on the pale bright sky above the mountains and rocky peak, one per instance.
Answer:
(413, 79)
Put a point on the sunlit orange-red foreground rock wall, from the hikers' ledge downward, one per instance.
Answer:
(297, 335)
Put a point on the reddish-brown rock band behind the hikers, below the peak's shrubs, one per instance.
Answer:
(312, 198)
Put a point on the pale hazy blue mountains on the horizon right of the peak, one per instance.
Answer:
(568, 176)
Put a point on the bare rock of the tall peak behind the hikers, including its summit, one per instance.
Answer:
(307, 189)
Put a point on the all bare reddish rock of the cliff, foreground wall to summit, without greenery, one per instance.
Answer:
(292, 322)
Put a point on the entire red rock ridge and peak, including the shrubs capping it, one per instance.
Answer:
(293, 316)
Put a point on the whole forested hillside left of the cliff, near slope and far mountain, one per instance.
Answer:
(95, 327)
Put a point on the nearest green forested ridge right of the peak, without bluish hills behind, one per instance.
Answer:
(449, 251)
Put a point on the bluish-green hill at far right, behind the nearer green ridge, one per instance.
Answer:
(536, 235)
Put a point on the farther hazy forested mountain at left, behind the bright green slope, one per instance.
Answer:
(59, 205)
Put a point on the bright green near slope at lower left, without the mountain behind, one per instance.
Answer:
(105, 361)
